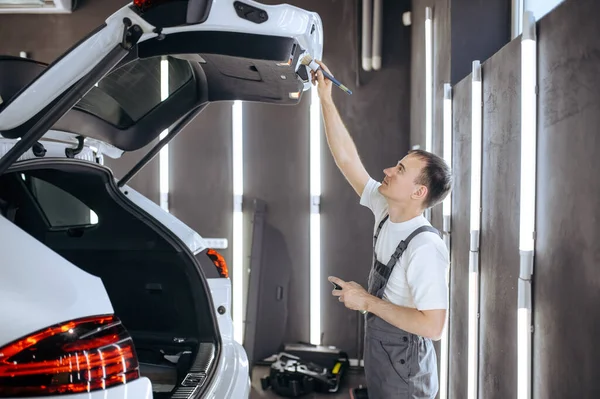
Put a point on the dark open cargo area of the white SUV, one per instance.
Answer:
(154, 282)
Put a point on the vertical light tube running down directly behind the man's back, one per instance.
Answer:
(447, 125)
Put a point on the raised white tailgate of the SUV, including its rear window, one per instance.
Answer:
(120, 97)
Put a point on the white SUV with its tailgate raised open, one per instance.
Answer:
(102, 293)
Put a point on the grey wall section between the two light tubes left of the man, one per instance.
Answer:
(276, 170)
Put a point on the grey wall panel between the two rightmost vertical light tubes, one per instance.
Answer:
(500, 224)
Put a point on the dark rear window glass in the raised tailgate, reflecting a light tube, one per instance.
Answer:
(128, 93)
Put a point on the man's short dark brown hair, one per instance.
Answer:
(435, 175)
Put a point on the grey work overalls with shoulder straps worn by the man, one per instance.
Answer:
(398, 364)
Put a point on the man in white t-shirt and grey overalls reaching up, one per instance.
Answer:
(407, 296)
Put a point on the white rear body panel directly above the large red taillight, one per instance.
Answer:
(39, 283)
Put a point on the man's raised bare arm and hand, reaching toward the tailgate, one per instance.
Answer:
(338, 138)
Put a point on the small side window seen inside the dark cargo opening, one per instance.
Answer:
(60, 208)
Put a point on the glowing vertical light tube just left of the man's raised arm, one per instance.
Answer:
(315, 218)
